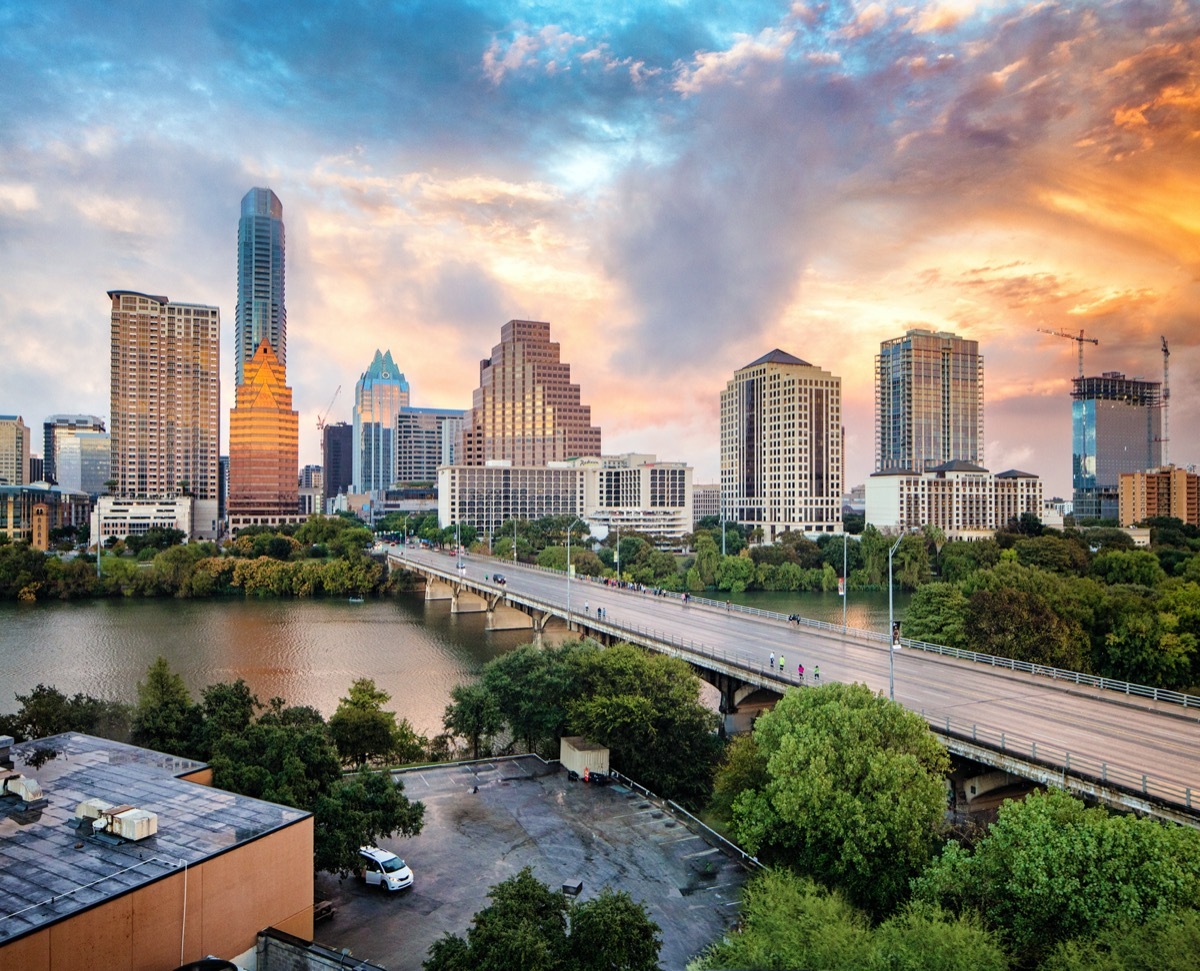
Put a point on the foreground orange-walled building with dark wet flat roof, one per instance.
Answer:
(200, 872)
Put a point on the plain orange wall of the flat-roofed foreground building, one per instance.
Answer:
(230, 900)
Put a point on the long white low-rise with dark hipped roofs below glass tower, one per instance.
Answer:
(963, 500)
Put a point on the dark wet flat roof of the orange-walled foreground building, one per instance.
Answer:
(51, 872)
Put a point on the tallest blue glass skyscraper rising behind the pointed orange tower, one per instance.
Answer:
(262, 315)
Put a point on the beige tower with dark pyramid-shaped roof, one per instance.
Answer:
(782, 460)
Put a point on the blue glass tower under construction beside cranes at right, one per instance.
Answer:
(1118, 427)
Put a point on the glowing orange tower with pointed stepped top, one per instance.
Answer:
(265, 446)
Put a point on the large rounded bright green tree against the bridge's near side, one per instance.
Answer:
(856, 792)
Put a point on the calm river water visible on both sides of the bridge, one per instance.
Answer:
(307, 652)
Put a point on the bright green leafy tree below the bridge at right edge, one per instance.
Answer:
(1052, 870)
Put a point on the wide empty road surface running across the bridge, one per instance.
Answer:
(1131, 738)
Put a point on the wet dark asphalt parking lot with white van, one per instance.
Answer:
(484, 823)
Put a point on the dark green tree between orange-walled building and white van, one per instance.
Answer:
(361, 811)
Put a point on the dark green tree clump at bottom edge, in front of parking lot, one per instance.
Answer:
(526, 927)
